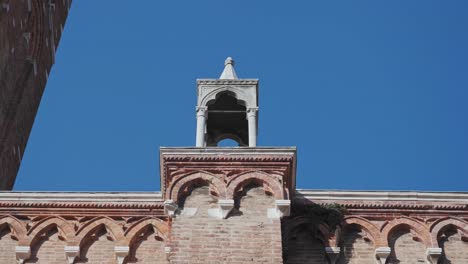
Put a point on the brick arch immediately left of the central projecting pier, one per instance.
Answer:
(160, 228)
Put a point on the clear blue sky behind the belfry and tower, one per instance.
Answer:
(374, 94)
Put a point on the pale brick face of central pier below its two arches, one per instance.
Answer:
(247, 236)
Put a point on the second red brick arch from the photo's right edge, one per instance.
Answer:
(419, 228)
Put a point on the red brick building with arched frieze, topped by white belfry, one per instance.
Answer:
(232, 205)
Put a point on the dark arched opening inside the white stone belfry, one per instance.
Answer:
(227, 119)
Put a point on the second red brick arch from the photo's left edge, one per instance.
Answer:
(65, 228)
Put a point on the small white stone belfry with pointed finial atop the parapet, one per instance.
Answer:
(227, 109)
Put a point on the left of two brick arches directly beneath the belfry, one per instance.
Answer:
(178, 185)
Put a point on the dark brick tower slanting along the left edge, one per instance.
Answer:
(30, 32)
